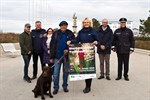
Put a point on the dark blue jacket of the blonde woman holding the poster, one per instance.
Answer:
(86, 35)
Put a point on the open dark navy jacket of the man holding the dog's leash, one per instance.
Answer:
(55, 43)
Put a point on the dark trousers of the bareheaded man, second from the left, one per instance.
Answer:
(35, 62)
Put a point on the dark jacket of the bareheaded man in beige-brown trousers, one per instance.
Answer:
(106, 38)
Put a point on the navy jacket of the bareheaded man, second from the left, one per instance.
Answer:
(37, 40)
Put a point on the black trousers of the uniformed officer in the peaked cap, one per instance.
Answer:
(123, 59)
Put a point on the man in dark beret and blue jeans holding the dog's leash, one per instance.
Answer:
(59, 49)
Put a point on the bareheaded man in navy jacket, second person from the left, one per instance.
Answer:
(37, 42)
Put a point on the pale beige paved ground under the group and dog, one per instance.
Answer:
(12, 86)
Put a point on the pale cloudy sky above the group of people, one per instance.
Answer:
(15, 13)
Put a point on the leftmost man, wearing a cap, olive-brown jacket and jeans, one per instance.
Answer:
(26, 49)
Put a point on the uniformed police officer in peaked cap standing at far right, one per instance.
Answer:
(123, 44)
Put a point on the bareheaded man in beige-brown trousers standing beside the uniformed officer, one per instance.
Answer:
(106, 37)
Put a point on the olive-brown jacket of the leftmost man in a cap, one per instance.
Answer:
(25, 43)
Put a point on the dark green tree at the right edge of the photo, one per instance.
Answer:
(144, 28)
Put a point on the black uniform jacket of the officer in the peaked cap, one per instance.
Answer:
(123, 41)
